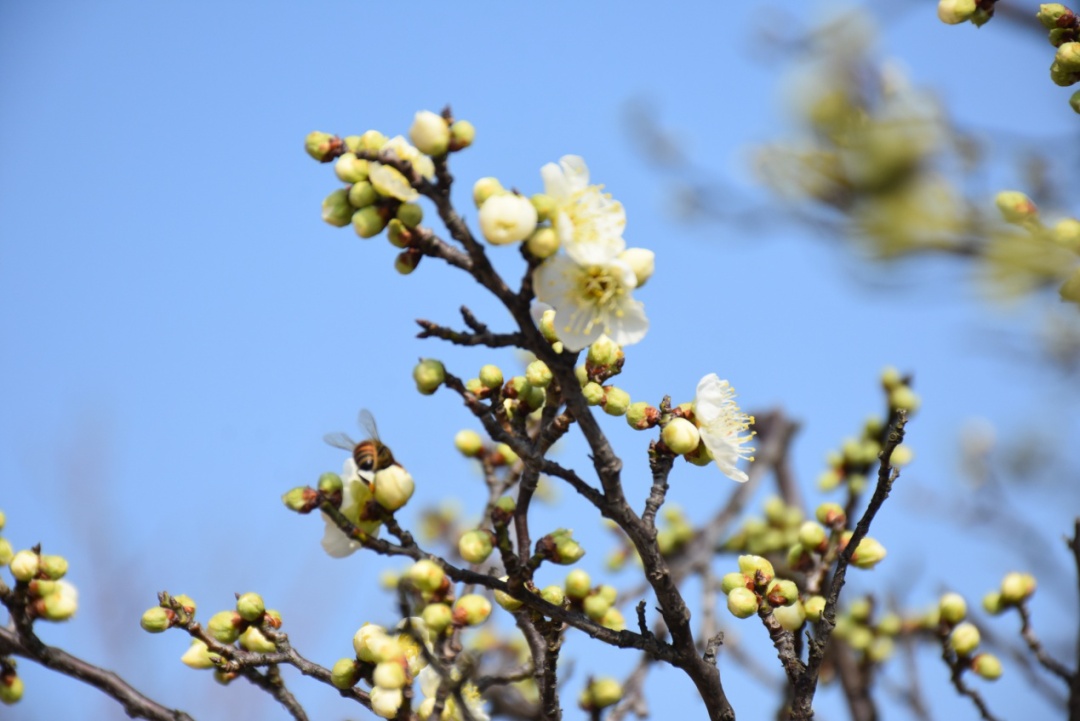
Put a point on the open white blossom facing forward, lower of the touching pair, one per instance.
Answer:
(591, 300)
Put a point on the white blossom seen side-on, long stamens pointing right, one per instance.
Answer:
(721, 423)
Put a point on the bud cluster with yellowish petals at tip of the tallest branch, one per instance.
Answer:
(379, 196)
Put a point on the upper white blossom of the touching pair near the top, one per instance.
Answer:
(589, 223)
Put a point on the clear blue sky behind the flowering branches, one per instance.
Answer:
(179, 329)
